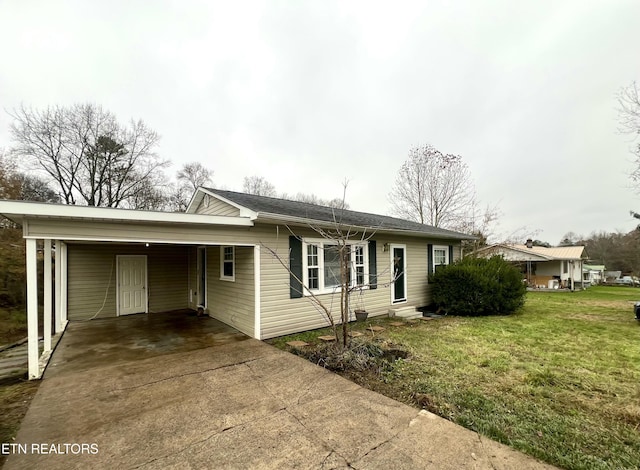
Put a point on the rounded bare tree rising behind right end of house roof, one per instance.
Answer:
(433, 188)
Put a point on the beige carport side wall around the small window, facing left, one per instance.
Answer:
(232, 302)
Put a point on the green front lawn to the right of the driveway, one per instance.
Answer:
(560, 380)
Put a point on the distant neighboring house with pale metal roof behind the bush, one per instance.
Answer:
(543, 267)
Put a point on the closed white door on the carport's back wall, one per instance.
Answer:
(132, 284)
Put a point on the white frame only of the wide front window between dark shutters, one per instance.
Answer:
(321, 243)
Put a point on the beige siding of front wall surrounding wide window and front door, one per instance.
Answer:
(281, 315)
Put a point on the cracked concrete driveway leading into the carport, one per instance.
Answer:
(120, 394)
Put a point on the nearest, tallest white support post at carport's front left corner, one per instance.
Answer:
(32, 308)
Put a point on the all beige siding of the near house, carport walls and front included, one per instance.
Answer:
(172, 272)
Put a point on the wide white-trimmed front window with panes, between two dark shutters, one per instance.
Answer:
(321, 265)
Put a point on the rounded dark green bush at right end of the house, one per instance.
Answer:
(478, 286)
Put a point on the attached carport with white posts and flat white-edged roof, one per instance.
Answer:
(97, 264)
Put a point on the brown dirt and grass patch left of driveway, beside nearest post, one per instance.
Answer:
(16, 394)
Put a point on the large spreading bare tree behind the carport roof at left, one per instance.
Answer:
(88, 155)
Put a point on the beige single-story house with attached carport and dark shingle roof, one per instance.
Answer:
(218, 255)
